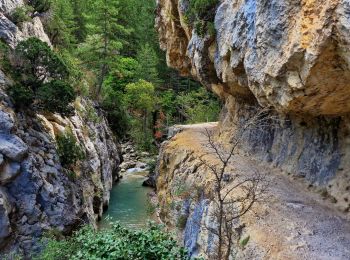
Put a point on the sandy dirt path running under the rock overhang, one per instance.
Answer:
(293, 223)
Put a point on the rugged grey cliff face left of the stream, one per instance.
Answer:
(36, 194)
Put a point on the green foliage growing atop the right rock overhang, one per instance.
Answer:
(201, 15)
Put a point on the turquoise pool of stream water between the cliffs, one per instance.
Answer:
(129, 203)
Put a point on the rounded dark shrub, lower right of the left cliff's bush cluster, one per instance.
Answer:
(56, 96)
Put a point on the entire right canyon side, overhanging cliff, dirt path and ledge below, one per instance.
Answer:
(292, 58)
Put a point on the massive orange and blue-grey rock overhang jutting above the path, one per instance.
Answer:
(292, 55)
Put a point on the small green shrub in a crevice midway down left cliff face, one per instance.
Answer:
(68, 149)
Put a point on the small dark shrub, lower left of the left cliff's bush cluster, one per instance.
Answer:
(22, 96)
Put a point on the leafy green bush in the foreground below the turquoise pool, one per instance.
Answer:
(115, 243)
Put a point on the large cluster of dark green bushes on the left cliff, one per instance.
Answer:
(41, 75)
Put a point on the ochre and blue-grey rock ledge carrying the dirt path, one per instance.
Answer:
(289, 223)
